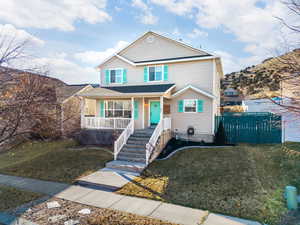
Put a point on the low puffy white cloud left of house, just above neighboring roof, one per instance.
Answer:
(64, 69)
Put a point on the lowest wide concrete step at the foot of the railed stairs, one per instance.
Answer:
(126, 166)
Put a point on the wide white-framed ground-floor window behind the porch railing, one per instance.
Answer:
(117, 108)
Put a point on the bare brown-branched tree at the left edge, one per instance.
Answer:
(21, 91)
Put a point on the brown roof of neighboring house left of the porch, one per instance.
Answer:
(65, 92)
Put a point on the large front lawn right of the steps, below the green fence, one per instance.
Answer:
(245, 181)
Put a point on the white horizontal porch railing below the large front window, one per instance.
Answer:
(104, 123)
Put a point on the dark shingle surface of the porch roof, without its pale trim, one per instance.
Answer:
(141, 88)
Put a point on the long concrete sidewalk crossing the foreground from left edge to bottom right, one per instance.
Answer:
(144, 207)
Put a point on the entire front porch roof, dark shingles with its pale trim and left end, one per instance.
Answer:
(129, 91)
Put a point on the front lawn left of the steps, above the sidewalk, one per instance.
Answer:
(54, 161)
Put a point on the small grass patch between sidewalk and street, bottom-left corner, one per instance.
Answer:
(12, 198)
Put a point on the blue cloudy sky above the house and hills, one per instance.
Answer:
(72, 37)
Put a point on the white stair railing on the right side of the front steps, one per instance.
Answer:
(163, 124)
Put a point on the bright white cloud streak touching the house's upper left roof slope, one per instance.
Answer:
(95, 57)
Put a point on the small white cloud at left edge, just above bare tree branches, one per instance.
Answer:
(9, 32)
